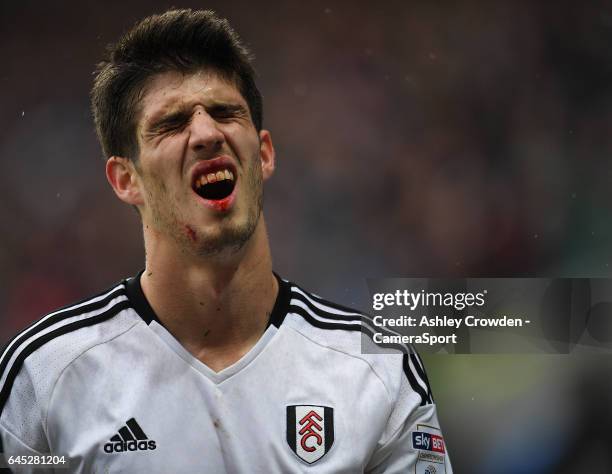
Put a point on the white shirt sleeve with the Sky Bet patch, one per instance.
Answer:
(412, 441)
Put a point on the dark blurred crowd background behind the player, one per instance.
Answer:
(419, 138)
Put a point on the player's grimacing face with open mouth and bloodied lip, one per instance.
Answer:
(201, 162)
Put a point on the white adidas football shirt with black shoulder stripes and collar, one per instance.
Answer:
(104, 384)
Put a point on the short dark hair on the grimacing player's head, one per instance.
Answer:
(177, 40)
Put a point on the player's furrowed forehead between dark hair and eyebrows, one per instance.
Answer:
(171, 90)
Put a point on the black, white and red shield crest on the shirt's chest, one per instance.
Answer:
(310, 431)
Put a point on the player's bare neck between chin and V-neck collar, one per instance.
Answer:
(217, 308)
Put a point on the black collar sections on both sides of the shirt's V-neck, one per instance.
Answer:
(144, 310)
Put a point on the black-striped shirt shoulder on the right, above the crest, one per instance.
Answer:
(349, 331)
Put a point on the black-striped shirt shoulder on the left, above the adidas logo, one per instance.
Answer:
(44, 349)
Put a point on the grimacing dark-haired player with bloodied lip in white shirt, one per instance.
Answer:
(206, 361)
